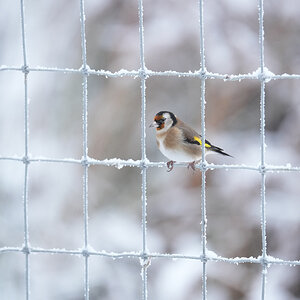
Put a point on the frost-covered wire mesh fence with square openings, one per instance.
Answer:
(145, 256)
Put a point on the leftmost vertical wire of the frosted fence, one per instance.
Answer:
(26, 152)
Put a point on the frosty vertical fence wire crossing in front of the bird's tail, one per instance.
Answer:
(203, 170)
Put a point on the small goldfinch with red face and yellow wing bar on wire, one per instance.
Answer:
(179, 142)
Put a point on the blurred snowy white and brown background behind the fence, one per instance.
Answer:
(174, 202)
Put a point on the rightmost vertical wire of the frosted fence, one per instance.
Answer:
(262, 148)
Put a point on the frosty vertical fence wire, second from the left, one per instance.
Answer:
(85, 148)
